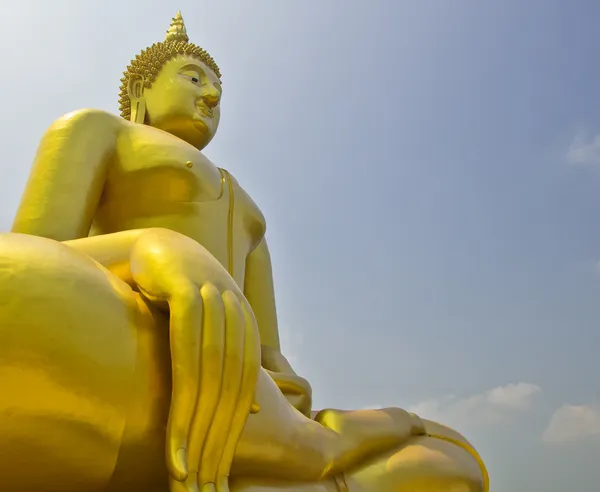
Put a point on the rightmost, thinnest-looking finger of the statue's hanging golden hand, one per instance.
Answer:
(246, 400)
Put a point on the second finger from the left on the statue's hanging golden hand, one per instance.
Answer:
(211, 370)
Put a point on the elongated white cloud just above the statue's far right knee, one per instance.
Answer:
(493, 406)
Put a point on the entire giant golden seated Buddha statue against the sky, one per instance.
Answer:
(139, 348)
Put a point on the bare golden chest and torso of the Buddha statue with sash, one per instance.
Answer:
(157, 180)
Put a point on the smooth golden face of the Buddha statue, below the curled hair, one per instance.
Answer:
(184, 100)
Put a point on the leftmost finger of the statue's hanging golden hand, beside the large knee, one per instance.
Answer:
(185, 340)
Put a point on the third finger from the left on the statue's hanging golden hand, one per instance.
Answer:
(230, 390)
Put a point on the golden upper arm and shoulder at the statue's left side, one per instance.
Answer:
(68, 175)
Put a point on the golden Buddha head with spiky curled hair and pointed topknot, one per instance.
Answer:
(174, 86)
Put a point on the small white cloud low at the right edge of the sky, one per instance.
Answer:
(573, 423)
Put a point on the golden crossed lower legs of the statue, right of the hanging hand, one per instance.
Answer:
(375, 445)
